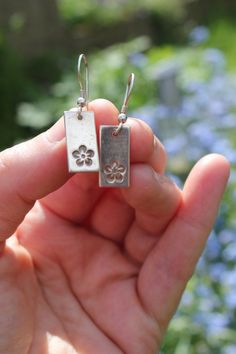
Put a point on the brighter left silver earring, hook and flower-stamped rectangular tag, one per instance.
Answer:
(82, 148)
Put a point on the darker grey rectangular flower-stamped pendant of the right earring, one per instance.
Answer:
(114, 157)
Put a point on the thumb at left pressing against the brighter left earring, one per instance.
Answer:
(28, 172)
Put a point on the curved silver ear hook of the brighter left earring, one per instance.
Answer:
(84, 86)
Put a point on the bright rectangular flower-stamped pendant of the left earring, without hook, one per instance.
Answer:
(82, 148)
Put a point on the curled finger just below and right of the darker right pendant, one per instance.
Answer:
(156, 200)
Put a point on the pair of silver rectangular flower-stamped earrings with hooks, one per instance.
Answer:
(82, 149)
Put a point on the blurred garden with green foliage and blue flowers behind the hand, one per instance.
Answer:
(183, 53)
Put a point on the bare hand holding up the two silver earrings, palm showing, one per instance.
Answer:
(91, 270)
